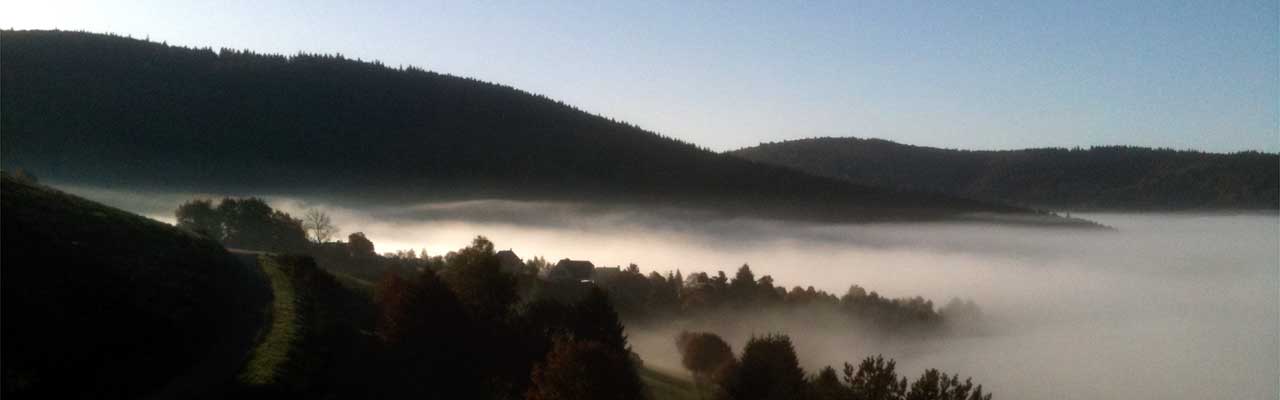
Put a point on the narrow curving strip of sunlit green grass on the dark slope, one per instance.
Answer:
(280, 344)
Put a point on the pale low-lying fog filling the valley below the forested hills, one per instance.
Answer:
(1168, 307)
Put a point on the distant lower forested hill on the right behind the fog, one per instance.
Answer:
(1112, 178)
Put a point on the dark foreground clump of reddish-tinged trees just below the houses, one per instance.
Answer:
(464, 333)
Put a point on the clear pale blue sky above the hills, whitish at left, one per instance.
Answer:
(975, 75)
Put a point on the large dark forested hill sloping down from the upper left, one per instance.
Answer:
(113, 111)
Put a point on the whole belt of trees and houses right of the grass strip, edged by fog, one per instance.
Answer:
(473, 322)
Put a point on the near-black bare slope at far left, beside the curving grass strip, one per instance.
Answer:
(99, 303)
